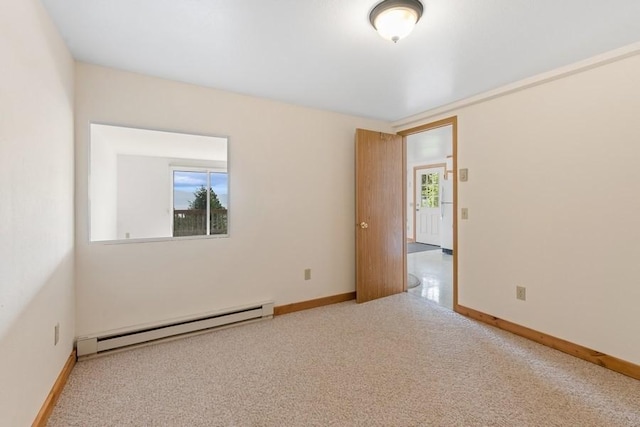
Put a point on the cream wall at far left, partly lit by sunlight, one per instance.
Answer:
(36, 209)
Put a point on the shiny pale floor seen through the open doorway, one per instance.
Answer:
(435, 271)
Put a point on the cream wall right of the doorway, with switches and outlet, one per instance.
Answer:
(553, 206)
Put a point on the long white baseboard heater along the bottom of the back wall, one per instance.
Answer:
(90, 345)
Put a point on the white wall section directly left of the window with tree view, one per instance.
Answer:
(144, 197)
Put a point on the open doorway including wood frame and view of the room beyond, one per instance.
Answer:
(431, 222)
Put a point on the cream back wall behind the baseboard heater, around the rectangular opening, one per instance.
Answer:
(292, 205)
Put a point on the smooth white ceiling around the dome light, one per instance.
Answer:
(325, 54)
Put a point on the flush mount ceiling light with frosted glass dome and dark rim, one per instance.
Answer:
(395, 19)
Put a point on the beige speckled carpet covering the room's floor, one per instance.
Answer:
(399, 361)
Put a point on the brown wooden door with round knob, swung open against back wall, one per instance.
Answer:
(380, 218)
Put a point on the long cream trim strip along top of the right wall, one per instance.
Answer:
(575, 68)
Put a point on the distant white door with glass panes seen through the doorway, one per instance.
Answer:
(428, 215)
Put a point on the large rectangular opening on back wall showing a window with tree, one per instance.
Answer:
(149, 184)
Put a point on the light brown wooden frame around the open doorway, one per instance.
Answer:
(453, 122)
